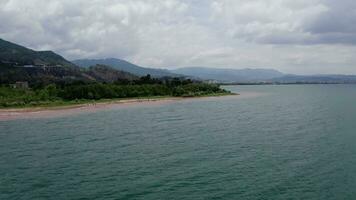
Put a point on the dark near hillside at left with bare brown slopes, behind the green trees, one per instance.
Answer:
(18, 63)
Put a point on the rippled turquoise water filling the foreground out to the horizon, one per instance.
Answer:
(287, 142)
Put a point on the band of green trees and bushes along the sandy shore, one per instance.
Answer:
(81, 92)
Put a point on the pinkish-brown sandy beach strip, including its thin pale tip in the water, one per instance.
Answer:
(59, 111)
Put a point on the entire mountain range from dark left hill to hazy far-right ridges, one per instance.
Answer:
(18, 63)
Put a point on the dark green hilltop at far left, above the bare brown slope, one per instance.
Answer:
(14, 54)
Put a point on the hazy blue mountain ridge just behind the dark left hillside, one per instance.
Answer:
(123, 65)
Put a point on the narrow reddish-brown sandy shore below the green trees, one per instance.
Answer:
(7, 114)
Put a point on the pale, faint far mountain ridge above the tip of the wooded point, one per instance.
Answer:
(229, 75)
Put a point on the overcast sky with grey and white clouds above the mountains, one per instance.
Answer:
(294, 36)
